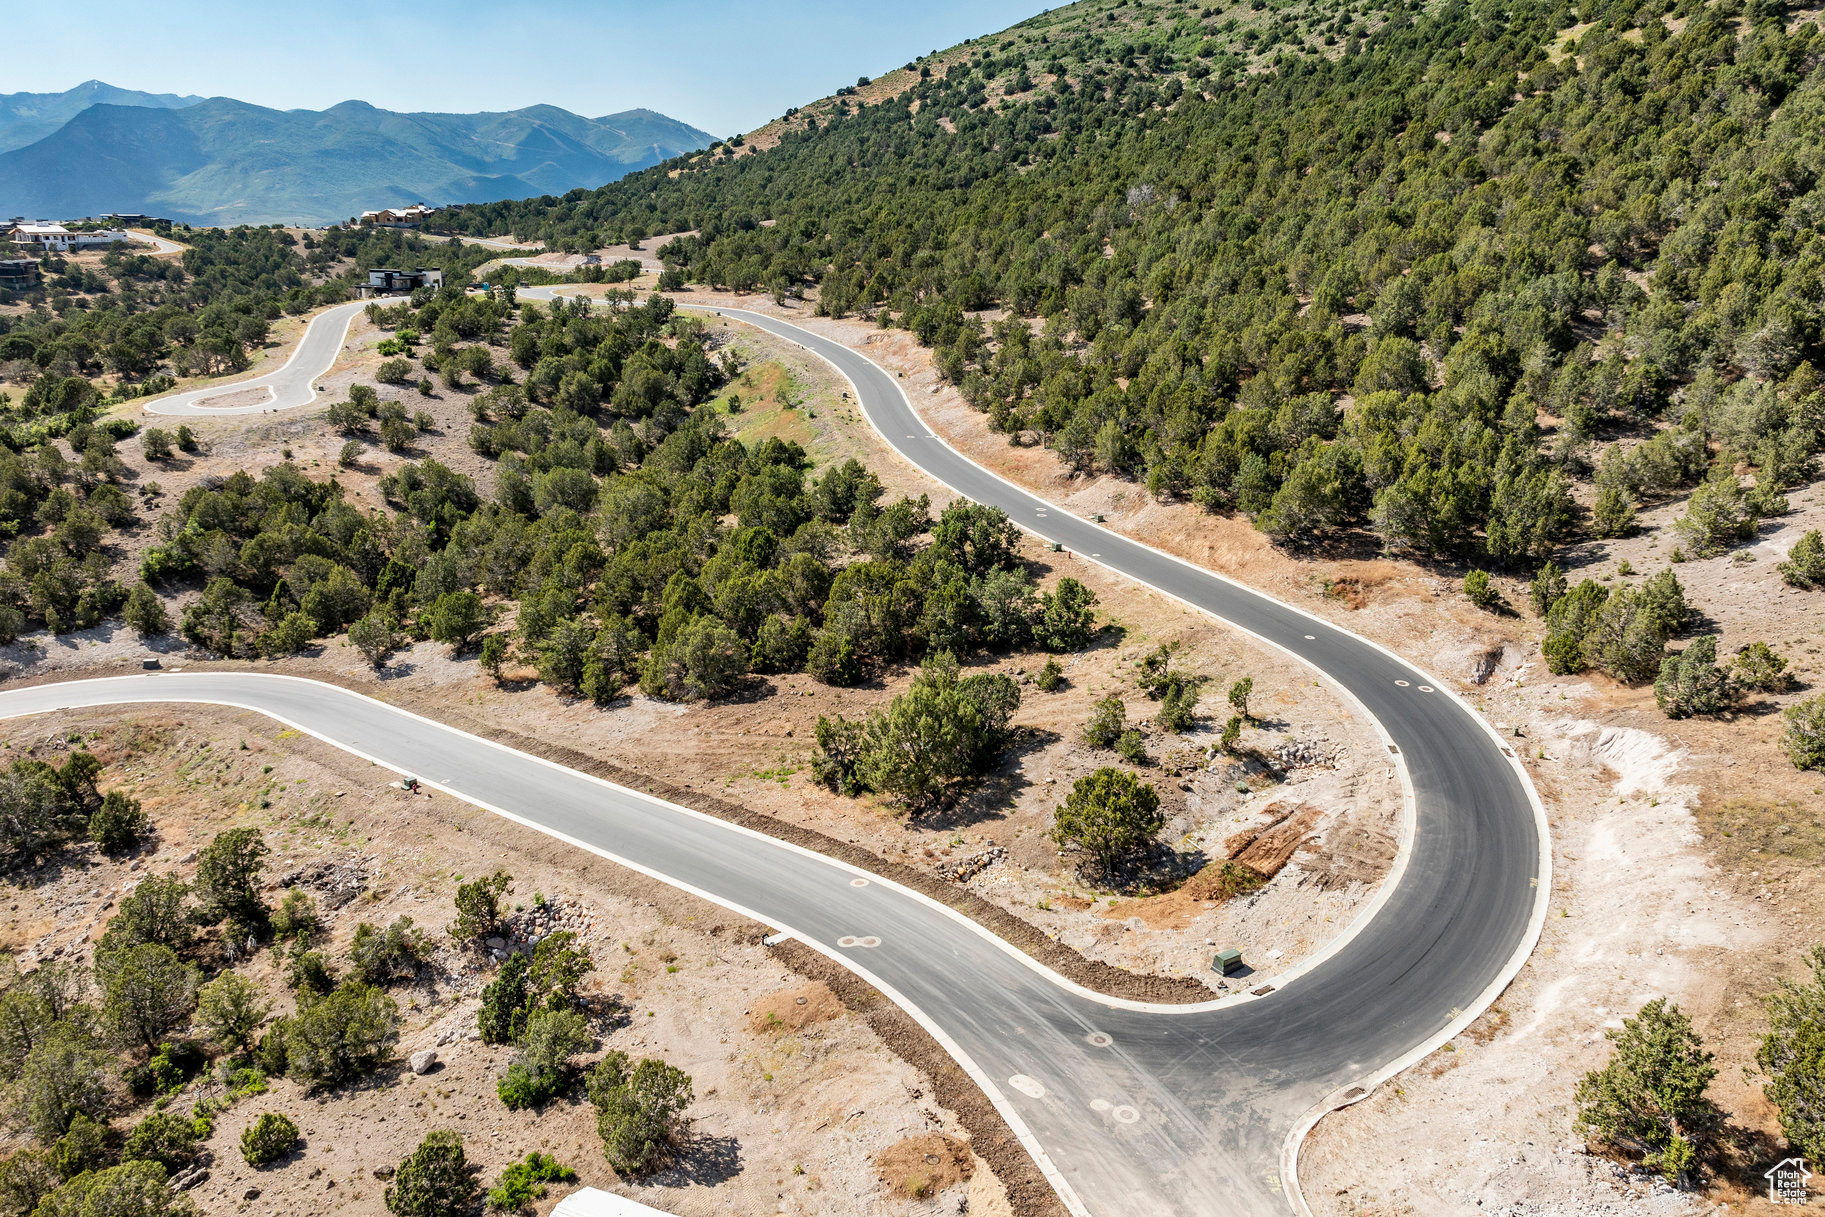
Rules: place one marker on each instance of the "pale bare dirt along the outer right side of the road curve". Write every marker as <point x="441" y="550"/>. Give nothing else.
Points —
<point x="1682" y="851"/>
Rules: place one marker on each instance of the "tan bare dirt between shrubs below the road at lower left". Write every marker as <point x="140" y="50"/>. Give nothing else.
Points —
<point x="793" y="1112"/>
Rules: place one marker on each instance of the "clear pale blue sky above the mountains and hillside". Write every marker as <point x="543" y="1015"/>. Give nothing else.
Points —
<point x="720" y="65"/>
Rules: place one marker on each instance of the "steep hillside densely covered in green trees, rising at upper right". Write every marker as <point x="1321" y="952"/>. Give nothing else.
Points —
<point x="1441" y="273"/>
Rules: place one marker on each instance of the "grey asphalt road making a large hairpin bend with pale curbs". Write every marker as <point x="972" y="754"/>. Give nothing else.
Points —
<point x="1129" y="1108"/>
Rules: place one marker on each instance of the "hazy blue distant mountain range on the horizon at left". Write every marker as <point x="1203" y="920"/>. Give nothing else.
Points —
<point x="220" y="161"/>
